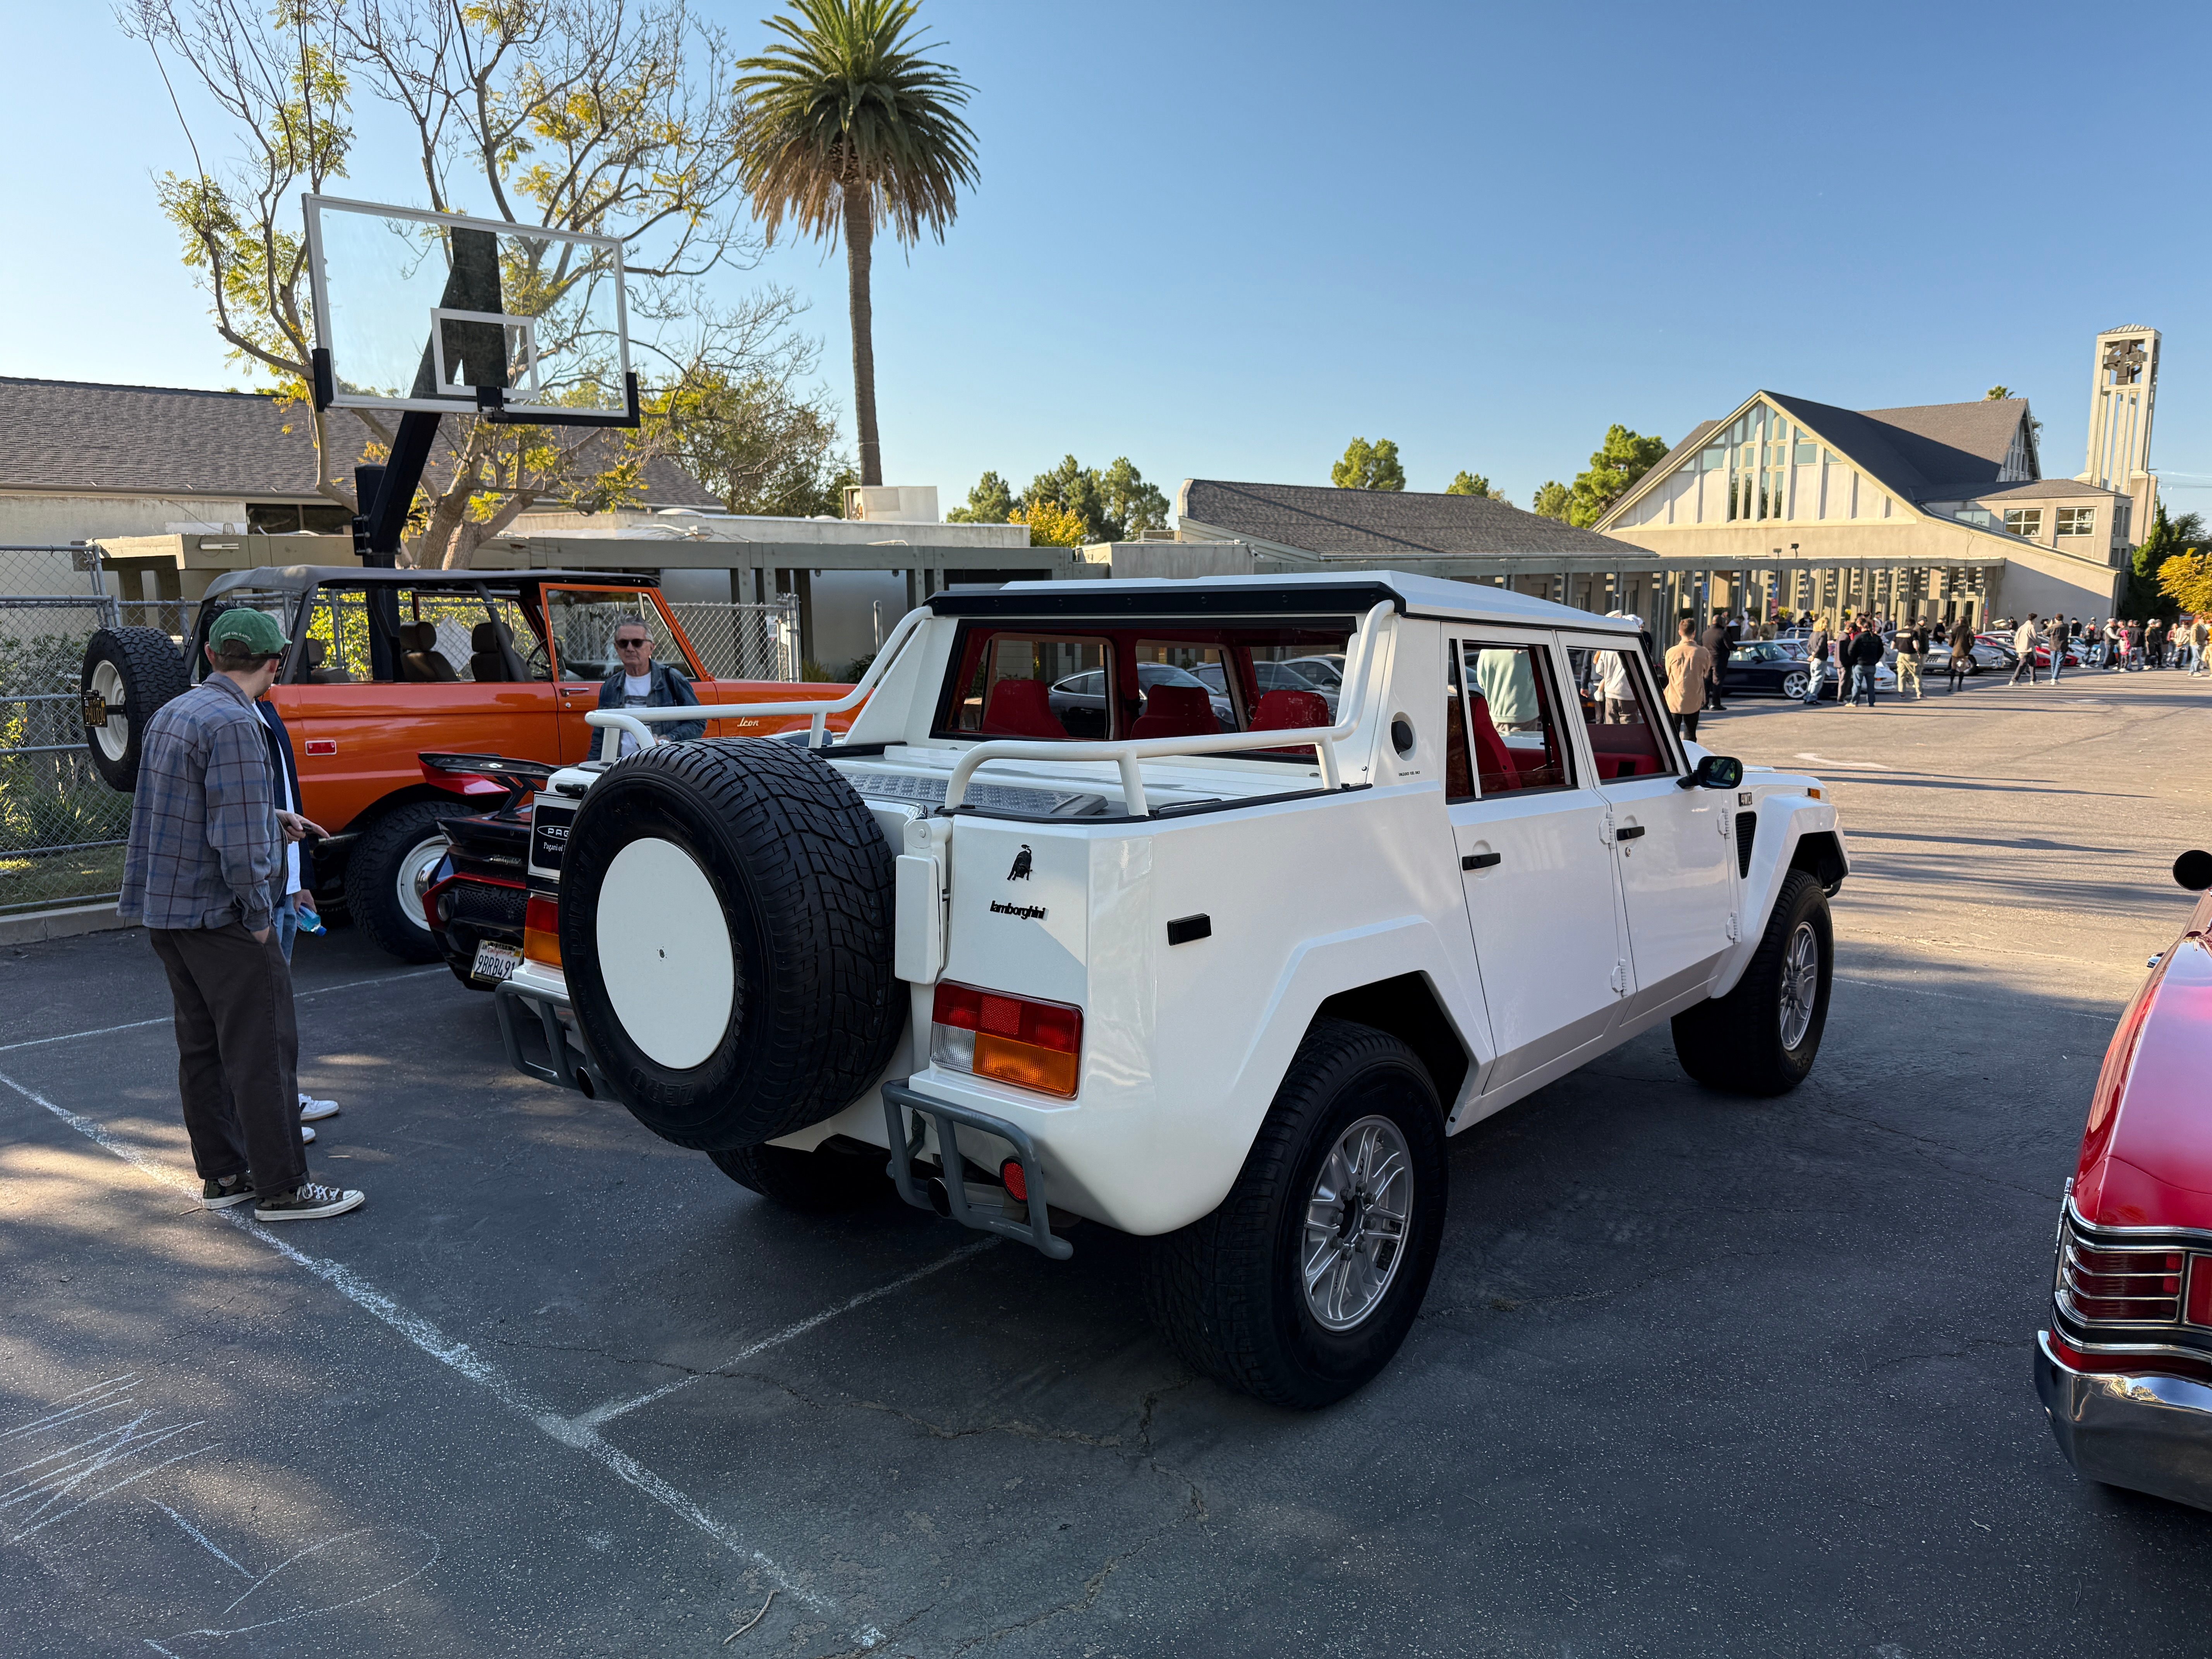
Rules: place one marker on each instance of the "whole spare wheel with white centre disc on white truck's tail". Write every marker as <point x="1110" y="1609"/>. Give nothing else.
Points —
<point x="727" y="935"/>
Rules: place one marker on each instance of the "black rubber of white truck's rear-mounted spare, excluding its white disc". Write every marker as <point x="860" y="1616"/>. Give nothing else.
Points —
<point x="815" y="873"/>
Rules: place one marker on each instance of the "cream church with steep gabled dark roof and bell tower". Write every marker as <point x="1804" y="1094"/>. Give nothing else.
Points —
<point x="1928" y="510"/>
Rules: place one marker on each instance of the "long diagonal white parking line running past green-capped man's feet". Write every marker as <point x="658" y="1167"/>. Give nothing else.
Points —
<point x="457" y="1357"/>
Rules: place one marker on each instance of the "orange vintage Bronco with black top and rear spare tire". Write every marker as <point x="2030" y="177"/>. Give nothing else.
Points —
<point x="390" y="665"/>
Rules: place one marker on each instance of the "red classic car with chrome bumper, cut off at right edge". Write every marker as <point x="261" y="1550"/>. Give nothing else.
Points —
<point x="2127" y="1366"/>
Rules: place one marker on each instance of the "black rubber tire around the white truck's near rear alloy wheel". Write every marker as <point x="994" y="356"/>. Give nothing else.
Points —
<point x="1227" y="1291"/>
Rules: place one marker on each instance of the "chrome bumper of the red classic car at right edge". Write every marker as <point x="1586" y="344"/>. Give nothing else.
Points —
<point x="2142" y="1430"/>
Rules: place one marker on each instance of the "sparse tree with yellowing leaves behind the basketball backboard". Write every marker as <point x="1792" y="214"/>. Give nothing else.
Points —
<point x="592" y="118"/>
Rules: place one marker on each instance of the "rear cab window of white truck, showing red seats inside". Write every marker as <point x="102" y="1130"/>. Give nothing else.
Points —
<point x="1154" y="680"/>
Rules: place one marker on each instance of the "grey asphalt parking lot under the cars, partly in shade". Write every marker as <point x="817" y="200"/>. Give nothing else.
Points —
<point x="1695" y="1375"/>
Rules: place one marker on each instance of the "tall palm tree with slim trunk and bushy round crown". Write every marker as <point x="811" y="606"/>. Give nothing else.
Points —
<point x="853" y="132"/>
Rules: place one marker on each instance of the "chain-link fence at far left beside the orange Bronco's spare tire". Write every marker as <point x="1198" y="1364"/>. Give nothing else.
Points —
<point x="61" y="826"/>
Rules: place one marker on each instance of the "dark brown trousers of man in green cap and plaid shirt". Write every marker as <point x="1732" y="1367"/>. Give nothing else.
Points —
<point x="238" y="1054"/>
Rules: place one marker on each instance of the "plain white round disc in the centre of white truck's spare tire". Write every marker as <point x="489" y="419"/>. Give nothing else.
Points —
<point x="665" y="954"/>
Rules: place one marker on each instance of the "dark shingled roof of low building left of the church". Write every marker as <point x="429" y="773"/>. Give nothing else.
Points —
<point x="1384" y="523"/>
